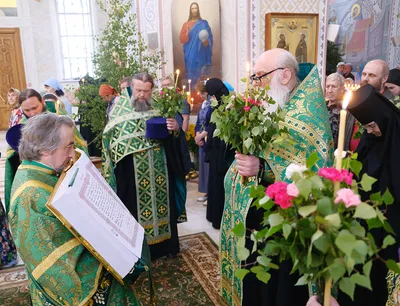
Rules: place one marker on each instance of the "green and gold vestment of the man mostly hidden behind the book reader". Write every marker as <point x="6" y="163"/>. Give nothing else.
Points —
<point x="12" y="160"/>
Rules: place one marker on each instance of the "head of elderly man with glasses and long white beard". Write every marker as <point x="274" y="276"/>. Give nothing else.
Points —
<point x="276" y="68"/>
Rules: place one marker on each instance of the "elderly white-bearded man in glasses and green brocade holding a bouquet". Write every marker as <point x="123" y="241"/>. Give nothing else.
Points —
<point x="308" y="123"/>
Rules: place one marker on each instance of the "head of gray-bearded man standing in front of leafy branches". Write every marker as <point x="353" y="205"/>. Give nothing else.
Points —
<point x="142" y="86"/>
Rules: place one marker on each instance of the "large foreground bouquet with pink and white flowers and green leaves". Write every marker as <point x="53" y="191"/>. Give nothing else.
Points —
<point x="318" y="229"/>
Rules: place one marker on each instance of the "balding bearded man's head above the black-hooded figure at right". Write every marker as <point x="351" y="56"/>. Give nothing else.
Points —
<point x="375" y="73"/>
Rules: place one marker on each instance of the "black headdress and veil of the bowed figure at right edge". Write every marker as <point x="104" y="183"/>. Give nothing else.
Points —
<point x="379" y="155"/>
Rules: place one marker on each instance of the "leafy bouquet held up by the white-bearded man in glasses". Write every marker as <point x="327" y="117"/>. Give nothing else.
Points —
<point x="248" y="127"/>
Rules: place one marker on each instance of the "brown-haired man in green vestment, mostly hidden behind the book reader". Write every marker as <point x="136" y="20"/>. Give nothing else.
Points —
<point x="32" y="104"/>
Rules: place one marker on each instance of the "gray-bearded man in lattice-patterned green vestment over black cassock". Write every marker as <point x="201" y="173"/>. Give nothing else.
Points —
<point x="143" y="170"/>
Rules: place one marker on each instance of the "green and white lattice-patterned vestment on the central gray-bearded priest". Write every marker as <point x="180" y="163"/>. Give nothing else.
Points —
<point x="125" y="135"/>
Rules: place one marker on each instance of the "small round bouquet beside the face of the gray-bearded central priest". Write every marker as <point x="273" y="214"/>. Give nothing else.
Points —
<point x="168" y="101"/>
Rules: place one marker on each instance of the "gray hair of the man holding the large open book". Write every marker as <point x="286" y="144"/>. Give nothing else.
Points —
<point x="42" y="133"/>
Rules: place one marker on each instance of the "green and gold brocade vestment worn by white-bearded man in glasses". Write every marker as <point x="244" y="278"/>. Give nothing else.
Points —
<point x="308" y="124"/>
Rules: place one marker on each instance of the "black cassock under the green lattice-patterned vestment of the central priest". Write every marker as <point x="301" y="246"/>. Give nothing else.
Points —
<point x="178" y="165"/>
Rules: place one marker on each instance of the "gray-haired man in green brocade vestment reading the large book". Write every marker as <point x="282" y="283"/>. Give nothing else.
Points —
<point x="61" y="271"/>
